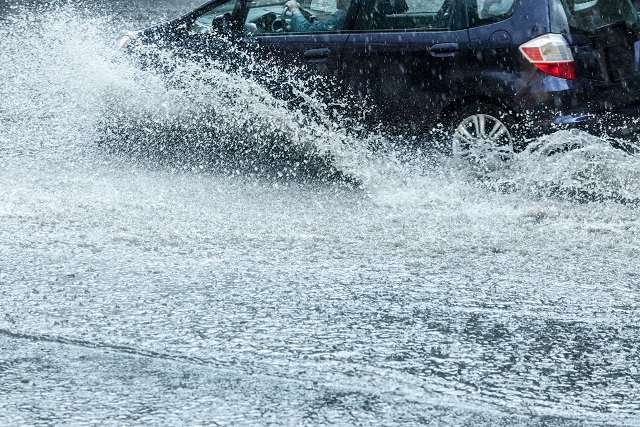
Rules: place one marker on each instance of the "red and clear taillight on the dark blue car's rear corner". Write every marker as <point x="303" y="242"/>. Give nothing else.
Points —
<point x="551" y="54"/>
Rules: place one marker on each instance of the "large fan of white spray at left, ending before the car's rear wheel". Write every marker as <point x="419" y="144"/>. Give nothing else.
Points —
<point x="68" y="79"/>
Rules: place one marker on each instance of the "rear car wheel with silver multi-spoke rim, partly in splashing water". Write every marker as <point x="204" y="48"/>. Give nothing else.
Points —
<point x="482" y="134"/>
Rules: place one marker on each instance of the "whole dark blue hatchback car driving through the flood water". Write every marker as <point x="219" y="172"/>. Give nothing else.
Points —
<point x="484" y="73"/>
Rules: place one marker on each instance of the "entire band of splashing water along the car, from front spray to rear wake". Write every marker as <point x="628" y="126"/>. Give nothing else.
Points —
<point x="68" y="84"/>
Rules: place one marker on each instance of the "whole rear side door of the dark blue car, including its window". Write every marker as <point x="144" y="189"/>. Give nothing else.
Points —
<point x="408" y="57"/>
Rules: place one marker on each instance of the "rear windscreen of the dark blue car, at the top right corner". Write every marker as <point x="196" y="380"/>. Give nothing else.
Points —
<point x="588" y="16"/>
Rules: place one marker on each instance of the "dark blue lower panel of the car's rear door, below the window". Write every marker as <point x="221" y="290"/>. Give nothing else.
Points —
<point x="408" y="73"/>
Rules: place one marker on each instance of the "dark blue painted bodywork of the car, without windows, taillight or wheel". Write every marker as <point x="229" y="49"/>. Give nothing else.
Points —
<point x="417" y="75"/>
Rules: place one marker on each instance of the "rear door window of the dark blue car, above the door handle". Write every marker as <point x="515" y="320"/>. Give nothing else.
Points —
<point x="410" y="14"/>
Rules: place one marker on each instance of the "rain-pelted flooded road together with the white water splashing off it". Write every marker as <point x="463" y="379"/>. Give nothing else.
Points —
<point x="203" y="288"/>
